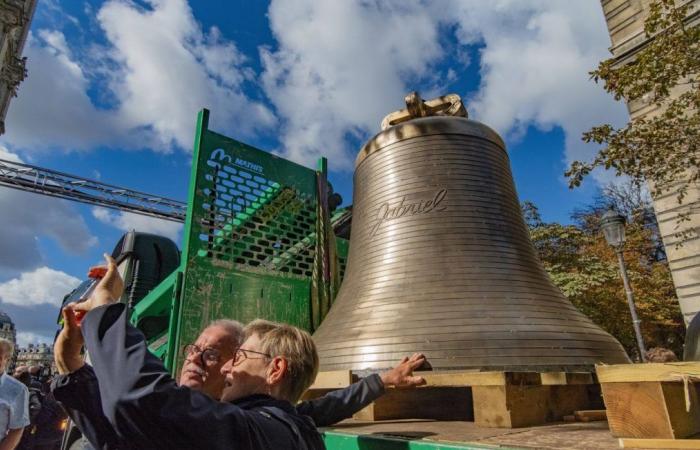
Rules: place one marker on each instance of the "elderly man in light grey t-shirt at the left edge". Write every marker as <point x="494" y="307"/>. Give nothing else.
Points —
<point x="14" y="402"/>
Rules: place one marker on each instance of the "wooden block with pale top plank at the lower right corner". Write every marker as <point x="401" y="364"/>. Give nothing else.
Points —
<point x="652" y="401"/>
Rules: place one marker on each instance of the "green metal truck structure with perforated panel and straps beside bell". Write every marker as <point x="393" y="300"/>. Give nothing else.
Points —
<point x="258" y="242"/>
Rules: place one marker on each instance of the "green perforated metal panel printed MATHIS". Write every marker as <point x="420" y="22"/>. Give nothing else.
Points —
<point x="250" y="238"/>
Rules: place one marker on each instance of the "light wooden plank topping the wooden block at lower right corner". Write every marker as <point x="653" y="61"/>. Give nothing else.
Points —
<point x="626" y="373"/>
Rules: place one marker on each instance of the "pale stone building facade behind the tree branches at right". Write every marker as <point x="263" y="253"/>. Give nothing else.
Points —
<point x="625" y="20"/>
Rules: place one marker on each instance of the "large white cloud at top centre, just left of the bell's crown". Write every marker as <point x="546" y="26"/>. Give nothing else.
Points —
<point x="340" y="67"/>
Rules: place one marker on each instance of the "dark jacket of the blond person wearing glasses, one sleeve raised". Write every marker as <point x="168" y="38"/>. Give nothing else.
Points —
<point x="147" y="410"/>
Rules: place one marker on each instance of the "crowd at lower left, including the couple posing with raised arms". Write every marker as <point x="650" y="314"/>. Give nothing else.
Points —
<point x="239" y="388"/>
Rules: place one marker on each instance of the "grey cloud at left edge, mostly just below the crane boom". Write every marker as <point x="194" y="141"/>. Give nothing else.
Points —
<point x="28" y="216"/>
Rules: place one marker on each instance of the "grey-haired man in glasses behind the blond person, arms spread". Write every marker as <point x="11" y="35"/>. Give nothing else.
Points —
<point x="79" y="390"/>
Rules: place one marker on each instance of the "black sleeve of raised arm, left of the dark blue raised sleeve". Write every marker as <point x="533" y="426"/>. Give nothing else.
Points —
<point x="79" y="394"/>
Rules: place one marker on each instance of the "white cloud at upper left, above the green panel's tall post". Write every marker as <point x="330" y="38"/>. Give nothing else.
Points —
<point x="169" y="69"/>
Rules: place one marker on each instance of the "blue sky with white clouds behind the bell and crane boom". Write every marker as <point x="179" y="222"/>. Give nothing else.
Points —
<point x="114" y="88"/>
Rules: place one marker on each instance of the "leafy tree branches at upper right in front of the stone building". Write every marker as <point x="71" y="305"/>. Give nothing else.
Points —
<point x="663" y="148"/>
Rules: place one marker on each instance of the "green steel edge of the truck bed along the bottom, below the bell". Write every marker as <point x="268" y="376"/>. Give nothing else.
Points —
<point x="347" y="441"/>
